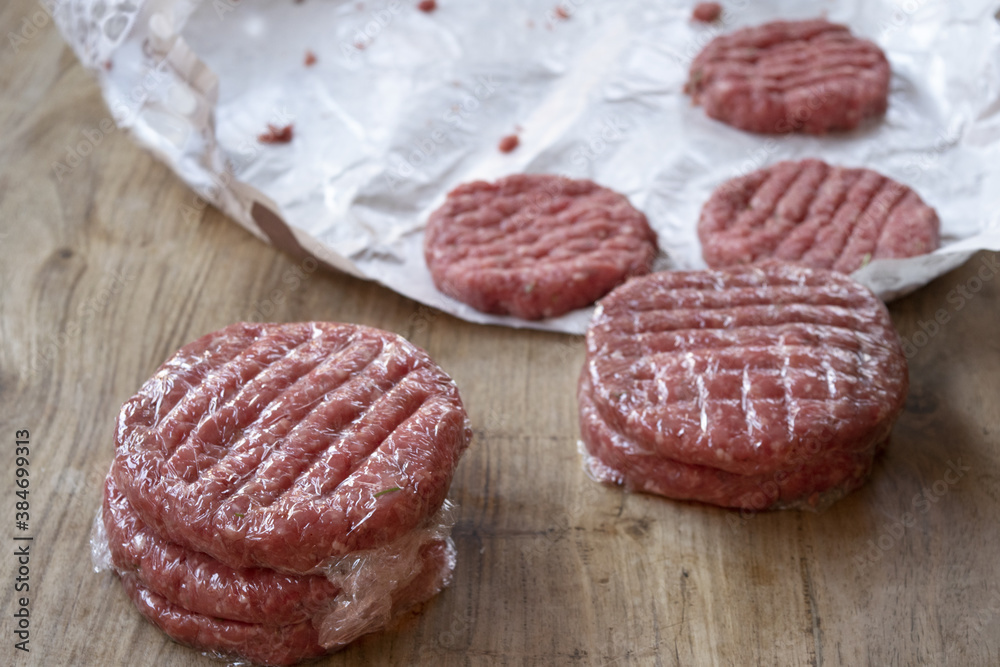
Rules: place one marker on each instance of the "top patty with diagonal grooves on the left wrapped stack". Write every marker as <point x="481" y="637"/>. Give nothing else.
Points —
<point x="289" y="445"/>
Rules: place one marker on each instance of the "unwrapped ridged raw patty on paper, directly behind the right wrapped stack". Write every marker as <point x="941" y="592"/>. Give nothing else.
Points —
<point x="810" y="212"/>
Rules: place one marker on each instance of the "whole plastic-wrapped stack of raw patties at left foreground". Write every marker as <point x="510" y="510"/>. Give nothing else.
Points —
<point x="278" y="490"/>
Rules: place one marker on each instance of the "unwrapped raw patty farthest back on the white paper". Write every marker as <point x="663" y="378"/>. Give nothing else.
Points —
<point x="791" y="76"/>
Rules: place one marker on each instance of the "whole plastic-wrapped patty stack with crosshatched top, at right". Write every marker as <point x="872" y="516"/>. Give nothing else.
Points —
<point x="759" y="387"/>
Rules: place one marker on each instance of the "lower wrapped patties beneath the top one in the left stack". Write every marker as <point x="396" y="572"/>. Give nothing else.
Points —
<point x="369" y="590"/>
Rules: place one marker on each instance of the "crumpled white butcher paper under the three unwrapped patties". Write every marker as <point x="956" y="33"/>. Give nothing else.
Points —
<point x="402" y="105"/>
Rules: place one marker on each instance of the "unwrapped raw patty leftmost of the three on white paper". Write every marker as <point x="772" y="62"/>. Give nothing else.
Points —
<point x="536" y="245"/>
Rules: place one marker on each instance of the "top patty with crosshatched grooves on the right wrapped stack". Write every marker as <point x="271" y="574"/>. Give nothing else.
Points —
<point x="735" y="369"/>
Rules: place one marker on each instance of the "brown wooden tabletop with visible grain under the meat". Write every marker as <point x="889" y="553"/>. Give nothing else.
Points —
<point x="102" y="279"/>
